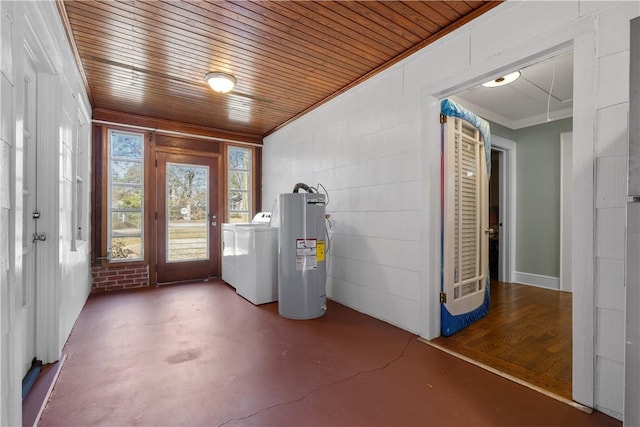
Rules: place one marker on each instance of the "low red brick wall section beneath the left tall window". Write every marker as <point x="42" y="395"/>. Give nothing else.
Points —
<point x="119" y="276"/>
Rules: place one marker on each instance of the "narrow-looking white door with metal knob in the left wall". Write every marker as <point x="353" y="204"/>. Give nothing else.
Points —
<point x="29" y="198"/>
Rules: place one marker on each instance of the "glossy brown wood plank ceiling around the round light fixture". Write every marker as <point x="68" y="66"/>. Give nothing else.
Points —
<point x="149" y="58"/>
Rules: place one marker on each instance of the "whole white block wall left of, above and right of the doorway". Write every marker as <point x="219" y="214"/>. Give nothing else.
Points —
<point x="373" y="149"/>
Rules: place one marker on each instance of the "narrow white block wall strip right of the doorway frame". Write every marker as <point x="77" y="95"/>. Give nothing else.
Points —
<point x="610" y="156"/>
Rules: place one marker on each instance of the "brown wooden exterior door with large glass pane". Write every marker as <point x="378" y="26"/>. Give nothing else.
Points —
<point x="187" y="217"/>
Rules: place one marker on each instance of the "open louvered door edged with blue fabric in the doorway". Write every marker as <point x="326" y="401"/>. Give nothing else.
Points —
<point x="465" y="225"/>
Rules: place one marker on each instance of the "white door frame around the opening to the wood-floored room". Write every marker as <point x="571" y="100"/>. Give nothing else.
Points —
<point x="579" y="35"/>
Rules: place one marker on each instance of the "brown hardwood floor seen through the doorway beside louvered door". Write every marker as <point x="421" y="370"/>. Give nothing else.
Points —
<point x="527" y="334"/>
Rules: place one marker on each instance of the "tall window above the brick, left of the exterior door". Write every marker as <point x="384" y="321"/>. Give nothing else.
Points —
<point x="126" y="195"/>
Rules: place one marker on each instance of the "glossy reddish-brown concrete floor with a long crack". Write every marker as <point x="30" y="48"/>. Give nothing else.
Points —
<point x="200" y="355"/>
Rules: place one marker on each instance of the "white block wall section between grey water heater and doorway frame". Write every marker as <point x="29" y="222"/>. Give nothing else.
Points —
<point x="365" y="150"/>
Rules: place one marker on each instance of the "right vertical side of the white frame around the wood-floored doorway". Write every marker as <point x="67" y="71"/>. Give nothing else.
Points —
<point x="583" y="217"/>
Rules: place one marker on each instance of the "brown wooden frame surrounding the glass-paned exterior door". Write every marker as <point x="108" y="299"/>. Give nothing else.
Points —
<point x="154" y="202"/>
